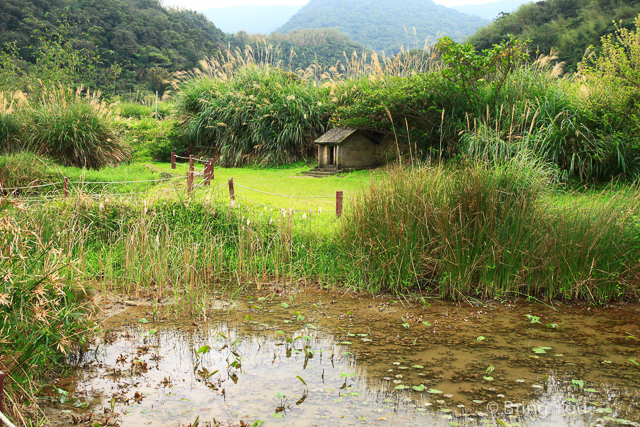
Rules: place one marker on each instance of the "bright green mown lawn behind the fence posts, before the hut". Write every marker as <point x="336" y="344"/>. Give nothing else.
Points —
<point x="287" y="186"/>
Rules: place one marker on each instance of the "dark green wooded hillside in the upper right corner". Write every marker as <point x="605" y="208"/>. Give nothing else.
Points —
<point x="567" y="26"/>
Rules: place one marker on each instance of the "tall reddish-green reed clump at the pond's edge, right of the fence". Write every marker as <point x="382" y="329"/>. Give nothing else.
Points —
<point x="488" y="230"/>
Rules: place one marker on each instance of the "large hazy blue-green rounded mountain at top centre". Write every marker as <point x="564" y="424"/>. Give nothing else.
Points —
<point x="385" y="25"/>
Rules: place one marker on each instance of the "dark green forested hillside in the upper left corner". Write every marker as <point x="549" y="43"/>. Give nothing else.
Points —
<point x="138" y="34"/>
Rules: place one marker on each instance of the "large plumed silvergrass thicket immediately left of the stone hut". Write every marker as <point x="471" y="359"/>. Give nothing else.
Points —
<point x="261" y="115"/>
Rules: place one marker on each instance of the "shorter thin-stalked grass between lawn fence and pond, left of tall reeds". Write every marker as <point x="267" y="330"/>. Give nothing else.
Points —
<point x="178" y="247"/>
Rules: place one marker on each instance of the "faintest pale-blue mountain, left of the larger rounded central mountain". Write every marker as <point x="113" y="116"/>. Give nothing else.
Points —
<point x="250" y="18"/>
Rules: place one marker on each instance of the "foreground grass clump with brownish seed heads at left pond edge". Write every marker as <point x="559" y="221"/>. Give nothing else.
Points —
<point x="43" y="315"/>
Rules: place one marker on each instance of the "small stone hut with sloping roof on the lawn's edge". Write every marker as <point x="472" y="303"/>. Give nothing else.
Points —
<point x="347" y="149"/>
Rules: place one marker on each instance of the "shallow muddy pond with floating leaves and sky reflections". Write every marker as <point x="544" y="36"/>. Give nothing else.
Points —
<point x="323" y="359"/>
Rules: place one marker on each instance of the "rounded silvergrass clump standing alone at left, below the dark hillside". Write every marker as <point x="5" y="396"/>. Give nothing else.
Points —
<point x="74" y="129"/>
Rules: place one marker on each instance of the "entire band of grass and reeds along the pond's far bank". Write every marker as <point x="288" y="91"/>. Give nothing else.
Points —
<point x="478" y="229"/>
